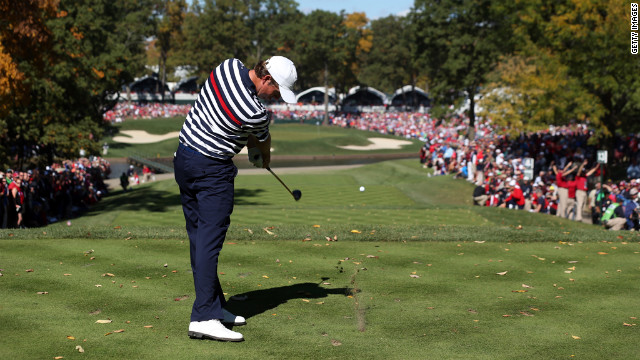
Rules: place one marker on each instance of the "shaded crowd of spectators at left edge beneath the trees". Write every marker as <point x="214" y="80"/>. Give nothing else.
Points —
<point x="39" y="197"/>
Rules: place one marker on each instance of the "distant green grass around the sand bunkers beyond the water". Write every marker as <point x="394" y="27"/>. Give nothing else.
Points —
<point x="288" y="139"/>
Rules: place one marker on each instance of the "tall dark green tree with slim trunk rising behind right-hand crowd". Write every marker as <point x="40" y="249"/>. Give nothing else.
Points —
<point x="458" y="43"/>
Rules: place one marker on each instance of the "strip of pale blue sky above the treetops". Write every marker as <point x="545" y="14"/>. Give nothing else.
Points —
<point x="373" y="8"/>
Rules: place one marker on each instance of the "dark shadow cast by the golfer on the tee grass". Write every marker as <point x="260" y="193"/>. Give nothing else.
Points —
<point x="260" y="301"/>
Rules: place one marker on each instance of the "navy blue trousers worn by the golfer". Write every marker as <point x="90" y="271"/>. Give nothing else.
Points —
<point x="206" y="192"/>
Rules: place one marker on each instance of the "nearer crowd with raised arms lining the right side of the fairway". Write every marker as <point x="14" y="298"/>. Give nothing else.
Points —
<point x="565" y="178"/>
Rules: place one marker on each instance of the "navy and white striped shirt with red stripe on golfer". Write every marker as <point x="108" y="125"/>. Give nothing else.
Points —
<point x="226" y="111"/>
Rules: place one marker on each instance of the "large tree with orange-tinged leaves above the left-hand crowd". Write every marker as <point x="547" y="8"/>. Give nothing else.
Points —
<point x="72" y="71"/>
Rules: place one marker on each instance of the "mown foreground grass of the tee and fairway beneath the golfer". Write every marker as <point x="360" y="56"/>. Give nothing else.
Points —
<point x="418" y="280"/>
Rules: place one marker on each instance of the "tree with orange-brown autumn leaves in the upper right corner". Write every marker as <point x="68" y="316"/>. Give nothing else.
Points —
<point x="591" y="39"/>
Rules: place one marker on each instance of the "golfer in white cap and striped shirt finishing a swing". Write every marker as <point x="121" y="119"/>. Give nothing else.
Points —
<point x="226" y="116"/>
